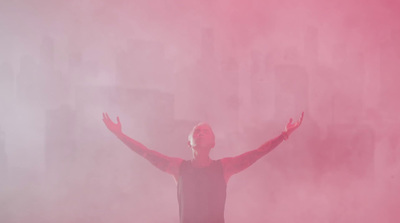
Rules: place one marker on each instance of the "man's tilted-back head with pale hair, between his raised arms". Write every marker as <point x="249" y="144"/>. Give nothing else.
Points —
<point x="201" y="137"/>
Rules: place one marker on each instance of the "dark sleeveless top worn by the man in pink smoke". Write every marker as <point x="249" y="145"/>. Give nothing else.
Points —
<point x="201" y="193"/>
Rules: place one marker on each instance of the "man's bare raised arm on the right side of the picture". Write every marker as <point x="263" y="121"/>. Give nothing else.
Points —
<point x="233" y="165"/>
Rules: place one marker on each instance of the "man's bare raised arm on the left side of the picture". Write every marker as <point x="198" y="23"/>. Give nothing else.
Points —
<point x="167" y="164"/>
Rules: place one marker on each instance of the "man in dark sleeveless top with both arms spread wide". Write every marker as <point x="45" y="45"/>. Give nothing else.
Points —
<point x="201" y="181"/>
